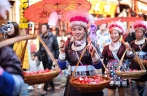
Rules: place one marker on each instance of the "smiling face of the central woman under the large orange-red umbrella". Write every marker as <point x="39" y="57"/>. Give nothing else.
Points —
<point x="78" y="32"/>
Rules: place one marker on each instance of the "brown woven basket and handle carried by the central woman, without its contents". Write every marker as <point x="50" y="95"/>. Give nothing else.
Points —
<point x="88" y="87"/>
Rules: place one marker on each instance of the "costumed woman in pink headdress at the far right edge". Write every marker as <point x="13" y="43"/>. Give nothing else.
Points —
<point x="140" y="47"/>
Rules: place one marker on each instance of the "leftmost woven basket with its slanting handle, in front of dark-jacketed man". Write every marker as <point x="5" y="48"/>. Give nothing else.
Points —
<point x="43" y="77"/>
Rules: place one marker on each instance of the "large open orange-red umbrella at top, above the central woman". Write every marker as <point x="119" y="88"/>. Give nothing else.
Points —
<point x="41" y="11"/>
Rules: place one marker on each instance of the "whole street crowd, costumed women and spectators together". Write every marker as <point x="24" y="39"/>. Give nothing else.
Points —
<point x="102" y="46"/>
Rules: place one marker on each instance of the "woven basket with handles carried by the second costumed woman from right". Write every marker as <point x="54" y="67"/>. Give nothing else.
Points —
<point x="133" y="74"/>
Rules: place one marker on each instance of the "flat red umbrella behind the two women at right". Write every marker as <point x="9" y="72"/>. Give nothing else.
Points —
<point x="122" y="19"/>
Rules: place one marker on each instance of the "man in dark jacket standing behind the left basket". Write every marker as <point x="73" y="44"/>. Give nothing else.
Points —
<point x="51" y="41"/>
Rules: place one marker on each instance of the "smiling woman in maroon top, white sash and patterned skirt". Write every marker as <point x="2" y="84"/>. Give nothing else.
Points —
<point x="113" y="53"/>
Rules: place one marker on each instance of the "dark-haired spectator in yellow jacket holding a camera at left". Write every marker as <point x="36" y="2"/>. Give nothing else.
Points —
<point x="20" y="48"/>
